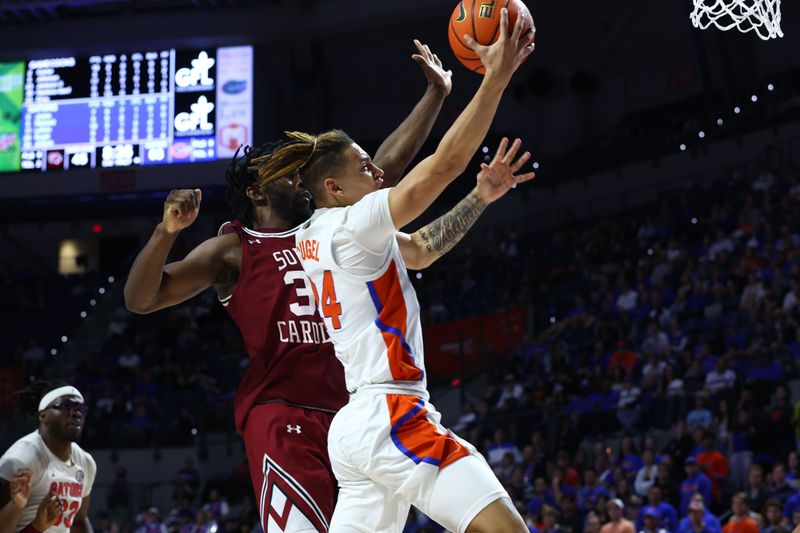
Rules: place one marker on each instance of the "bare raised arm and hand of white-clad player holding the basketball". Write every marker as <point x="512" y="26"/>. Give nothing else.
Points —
<point x="428" y="179"/>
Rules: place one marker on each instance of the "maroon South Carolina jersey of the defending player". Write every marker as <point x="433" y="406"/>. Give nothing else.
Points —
<point x="291" y="355"/>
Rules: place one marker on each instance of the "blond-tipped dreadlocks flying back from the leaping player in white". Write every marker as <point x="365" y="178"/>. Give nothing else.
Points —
<point x="312" y="157"/>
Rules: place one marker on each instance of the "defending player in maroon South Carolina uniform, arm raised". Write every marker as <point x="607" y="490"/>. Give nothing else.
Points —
<point x="294" y="383"/>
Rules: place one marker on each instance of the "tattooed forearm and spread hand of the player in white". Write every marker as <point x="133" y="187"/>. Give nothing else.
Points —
<point x="426" y="245"/>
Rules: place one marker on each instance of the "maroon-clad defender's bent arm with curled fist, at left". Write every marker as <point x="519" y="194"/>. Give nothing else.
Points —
<point x="151" y="284"/>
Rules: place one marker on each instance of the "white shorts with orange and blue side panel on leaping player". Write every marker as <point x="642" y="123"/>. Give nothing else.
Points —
<point x="388" y="452"/>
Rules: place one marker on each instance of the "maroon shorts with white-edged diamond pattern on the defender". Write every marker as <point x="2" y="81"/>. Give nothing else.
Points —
<point x="287" y="450"/>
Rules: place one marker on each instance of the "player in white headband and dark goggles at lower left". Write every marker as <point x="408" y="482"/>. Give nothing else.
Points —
<point x="59" y="473"/>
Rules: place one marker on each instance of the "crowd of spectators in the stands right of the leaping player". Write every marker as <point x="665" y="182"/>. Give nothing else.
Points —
<point x="658" y="388"/>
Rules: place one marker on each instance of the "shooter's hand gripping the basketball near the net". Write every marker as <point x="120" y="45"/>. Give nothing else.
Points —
<point x="503" y="57"/>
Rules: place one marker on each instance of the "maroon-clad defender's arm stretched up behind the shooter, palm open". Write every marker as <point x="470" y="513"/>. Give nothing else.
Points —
<point x="397" y="151"/>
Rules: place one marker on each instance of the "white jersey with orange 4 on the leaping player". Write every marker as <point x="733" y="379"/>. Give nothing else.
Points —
<point x="369" y="306"/>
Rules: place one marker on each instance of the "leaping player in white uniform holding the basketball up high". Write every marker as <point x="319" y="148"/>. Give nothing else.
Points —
<point x="386" y="445"/>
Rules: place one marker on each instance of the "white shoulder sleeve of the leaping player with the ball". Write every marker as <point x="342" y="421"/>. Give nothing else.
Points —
<point x="364" y="239"/>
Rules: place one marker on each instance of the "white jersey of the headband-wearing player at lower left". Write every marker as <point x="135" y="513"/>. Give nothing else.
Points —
<point x="71" y="481"/>
